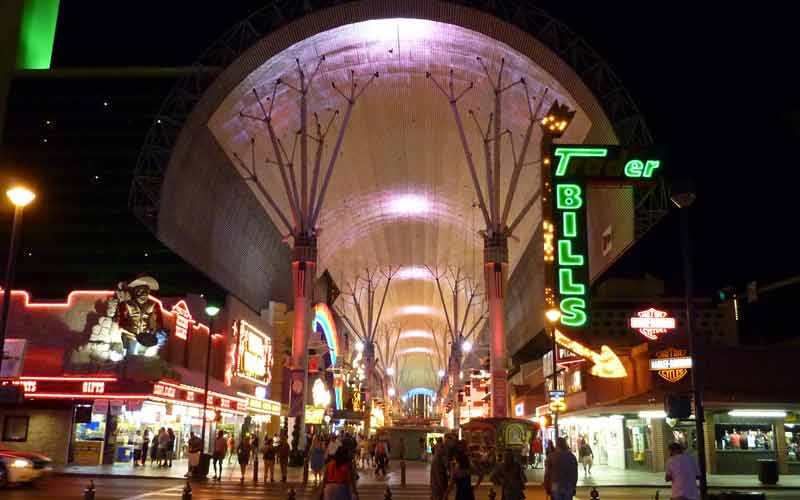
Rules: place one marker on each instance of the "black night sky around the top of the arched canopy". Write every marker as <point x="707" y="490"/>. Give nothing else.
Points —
<point x="718" y="88"/>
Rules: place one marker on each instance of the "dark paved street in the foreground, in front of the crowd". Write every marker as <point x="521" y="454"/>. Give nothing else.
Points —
<point x="154" y="489"/>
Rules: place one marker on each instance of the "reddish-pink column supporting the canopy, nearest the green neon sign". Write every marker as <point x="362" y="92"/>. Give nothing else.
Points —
<point x="495" y="258"/>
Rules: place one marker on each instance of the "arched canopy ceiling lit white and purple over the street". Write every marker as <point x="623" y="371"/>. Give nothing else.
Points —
<point x="401" y="193"/>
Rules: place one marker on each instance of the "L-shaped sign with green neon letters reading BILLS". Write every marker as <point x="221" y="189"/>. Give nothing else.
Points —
<point x="575" y="166"/>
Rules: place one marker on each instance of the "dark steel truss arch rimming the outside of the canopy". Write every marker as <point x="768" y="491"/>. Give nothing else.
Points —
<point x="617" y="103"/>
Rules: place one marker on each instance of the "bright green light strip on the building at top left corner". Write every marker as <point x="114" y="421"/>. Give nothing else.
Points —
<point x="37" y="34"/>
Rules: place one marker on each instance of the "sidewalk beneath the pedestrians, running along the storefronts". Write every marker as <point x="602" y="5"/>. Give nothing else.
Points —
<point x="418" y="473"/>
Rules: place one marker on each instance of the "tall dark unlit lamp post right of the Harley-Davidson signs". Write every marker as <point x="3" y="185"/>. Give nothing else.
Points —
<point x="683" y="196"/>
